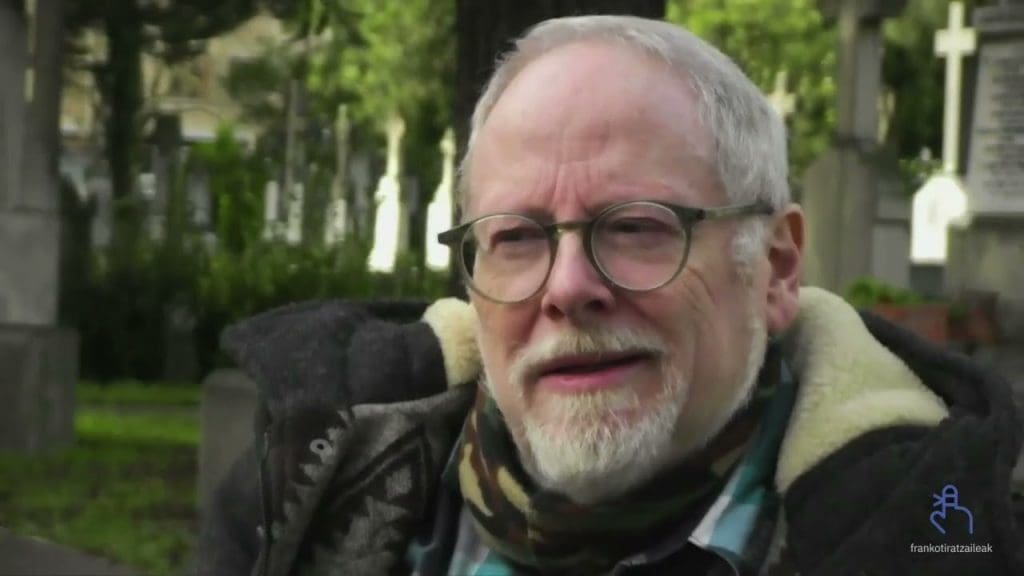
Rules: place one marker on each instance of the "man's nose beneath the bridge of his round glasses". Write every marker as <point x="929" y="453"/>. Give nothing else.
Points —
<point x="575" y="290"/>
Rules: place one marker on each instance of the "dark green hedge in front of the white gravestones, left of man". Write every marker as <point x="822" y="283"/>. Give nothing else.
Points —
<point x="122" y="321"/>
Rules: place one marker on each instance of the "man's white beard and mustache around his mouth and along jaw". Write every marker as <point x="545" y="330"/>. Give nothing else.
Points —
<point x="590" y="454"/>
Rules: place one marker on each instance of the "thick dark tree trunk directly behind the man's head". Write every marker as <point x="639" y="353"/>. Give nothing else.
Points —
<point x="486" y="29"/>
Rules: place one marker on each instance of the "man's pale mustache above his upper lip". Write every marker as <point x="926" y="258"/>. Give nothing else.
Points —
<point x="573" y="342"/>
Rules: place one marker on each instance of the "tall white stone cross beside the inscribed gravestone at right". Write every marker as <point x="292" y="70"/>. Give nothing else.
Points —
<point x="954" y="44"/>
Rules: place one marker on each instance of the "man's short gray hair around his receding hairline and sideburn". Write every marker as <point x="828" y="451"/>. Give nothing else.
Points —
<point x="749" y="136"/>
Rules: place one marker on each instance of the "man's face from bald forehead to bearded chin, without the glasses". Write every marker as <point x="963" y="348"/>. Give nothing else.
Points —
<point x="582" y="128"/>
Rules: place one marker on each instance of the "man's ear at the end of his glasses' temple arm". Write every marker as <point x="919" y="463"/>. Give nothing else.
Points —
<point x="786" y="255"/>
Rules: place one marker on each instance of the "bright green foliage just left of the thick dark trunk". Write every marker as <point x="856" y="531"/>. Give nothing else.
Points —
<point x="379" y="59"/>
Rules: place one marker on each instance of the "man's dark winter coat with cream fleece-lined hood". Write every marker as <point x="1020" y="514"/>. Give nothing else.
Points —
<point x="358" y="418"/>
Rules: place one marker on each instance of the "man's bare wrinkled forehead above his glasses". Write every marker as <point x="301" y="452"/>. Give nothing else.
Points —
<point x="585" y="101"/>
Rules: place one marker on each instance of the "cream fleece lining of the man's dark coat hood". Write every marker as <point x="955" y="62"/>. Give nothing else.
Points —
<point x="849" y="383"/>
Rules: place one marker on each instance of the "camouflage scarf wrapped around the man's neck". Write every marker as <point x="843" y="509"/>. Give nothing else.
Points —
<point x="543" y="531"/>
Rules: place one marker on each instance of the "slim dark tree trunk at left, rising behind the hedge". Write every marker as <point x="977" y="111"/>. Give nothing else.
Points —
<point x="124" y="86"/>
